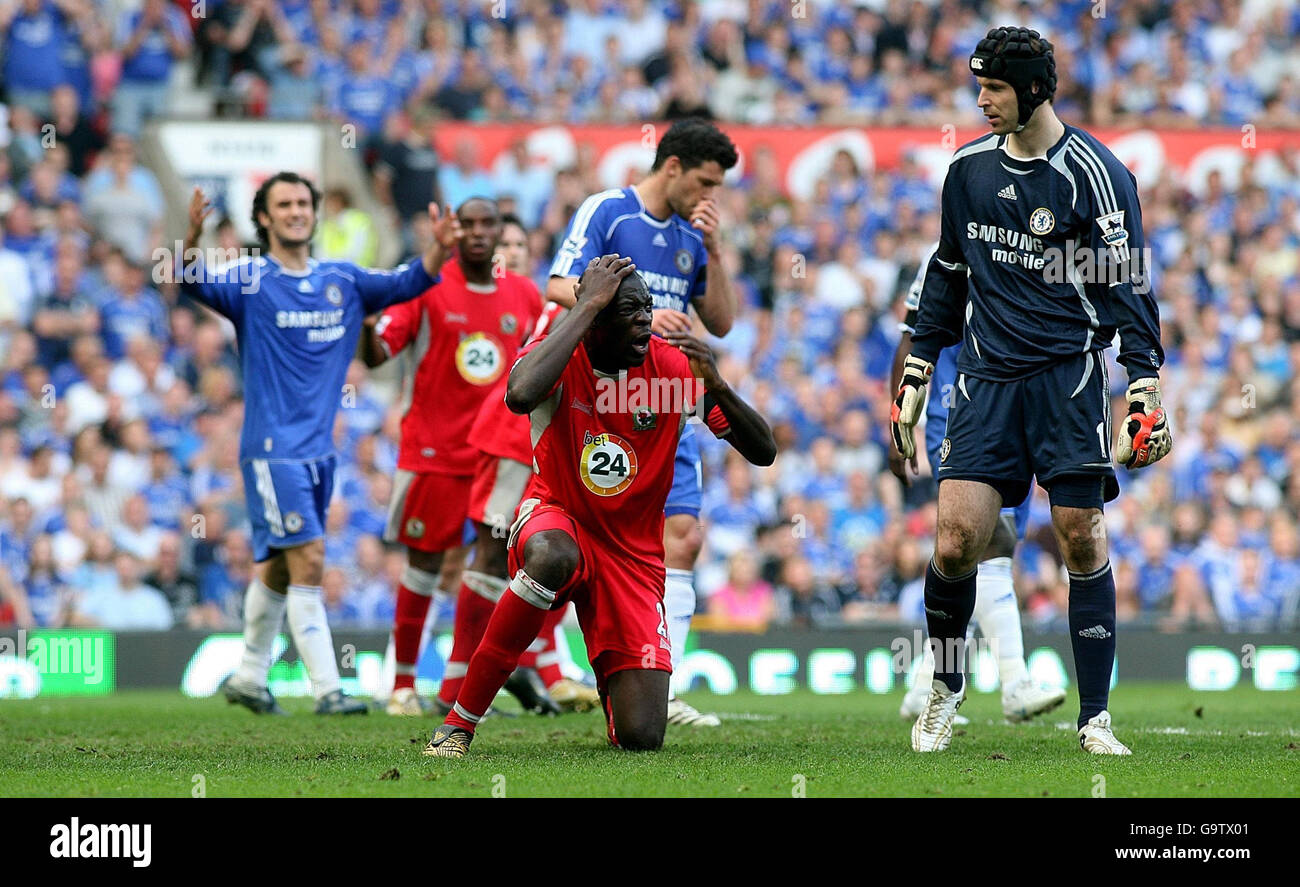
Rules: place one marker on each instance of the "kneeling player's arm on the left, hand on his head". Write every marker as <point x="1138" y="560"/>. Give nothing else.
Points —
<point x="536" y="374"/>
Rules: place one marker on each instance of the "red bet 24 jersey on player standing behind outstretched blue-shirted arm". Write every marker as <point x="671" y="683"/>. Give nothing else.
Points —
<point x="463" y="339"/>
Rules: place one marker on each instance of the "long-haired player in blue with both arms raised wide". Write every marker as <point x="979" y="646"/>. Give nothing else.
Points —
<point x="298" y="322"/>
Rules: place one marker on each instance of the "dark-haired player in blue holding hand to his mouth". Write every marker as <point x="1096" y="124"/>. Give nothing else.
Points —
<point x="681" y="263"/>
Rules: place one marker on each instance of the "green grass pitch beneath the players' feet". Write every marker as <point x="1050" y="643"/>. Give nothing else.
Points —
<point x="1186" y="745"/>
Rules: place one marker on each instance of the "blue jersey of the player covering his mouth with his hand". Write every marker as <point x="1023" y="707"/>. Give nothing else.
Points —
<point x="670" y="254"/>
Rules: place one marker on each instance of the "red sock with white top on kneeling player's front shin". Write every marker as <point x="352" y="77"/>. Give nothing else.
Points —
<point x="514" y="625"/>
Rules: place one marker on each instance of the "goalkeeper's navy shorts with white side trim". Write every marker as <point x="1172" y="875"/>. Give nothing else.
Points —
<point x="1054" y="427"/>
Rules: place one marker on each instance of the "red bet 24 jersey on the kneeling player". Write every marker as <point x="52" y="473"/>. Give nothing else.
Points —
<point x="604" y="448"/>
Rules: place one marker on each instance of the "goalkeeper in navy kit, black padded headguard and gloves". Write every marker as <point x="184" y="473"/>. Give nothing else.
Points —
<point x="1039" y="266"/>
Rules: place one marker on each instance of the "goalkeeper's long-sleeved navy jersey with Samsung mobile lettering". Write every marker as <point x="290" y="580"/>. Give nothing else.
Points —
<point x="1039" y="261"/>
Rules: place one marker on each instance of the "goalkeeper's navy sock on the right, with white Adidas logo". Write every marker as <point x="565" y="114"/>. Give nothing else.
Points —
<point x="1093" y="635"/>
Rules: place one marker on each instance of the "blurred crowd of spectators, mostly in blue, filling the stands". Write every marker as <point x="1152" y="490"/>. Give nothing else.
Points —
<point x="120" y="404"/>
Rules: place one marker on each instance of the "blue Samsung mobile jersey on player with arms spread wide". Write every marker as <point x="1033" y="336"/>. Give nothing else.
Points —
<point x="297" y="335"/>
